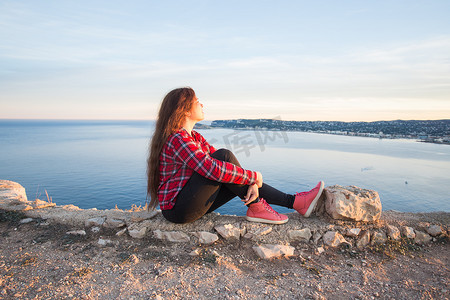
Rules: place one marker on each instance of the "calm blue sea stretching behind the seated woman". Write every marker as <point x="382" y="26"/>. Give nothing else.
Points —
<point x="103" y="163"/>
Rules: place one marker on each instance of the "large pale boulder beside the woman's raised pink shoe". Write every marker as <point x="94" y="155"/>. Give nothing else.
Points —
<point x="352" y="203"/>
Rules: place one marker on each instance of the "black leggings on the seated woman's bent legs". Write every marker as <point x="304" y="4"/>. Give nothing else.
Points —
<point x="201" y="195"/>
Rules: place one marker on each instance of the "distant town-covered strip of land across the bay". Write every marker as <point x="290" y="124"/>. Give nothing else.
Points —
<point x="431" y="131"/>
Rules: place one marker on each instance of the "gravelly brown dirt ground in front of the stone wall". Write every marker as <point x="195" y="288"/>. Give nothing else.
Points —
<point x="41" y="261"/>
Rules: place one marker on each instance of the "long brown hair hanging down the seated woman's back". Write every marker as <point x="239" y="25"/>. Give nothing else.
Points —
<point x="171" y="116"/>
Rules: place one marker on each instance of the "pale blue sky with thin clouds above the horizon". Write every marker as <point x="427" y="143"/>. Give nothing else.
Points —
<point x="290" y="60"/>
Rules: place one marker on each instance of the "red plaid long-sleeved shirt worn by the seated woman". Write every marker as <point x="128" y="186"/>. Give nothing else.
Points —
<point x="182" y="155"/>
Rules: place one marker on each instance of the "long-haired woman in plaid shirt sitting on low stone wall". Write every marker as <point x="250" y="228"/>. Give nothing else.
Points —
<point x="189" y="178"/>
